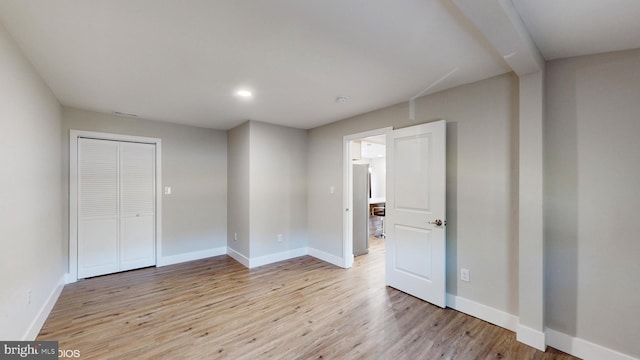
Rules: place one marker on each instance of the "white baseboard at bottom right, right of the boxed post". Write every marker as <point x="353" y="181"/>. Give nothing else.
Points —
<point x="582" y="348"/>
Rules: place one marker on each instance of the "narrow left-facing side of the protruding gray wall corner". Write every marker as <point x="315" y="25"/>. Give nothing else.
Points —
<point x="238" y="196"/>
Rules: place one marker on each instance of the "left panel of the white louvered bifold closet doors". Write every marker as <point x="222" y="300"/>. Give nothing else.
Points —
<point x="98" y="216"/>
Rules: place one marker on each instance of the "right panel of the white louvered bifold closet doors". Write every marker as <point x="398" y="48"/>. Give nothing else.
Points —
<point x="137" y="204"/>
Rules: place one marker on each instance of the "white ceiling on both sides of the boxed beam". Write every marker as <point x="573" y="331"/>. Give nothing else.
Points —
<point x="182" y="60"/>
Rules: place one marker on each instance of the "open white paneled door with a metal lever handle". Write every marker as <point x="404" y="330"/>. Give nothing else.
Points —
<point x="415" y="210"/>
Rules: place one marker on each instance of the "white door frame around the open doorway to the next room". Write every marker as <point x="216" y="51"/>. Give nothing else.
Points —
<point x="347" y="193"/>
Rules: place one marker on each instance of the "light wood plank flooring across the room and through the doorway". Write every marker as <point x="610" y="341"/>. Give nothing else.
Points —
<point x="297" y="309"/>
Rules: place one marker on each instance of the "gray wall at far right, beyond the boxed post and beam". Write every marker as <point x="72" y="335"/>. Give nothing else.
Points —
<point x="592" y="172"/>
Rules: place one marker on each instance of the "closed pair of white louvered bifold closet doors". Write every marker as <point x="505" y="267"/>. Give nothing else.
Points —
<point x="116" y="206"/>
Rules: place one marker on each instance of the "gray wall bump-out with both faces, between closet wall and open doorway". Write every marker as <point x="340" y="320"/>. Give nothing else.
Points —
<point x="267" y="189"/>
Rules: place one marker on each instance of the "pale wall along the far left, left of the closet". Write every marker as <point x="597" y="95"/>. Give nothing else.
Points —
<point x="31" y="255"/>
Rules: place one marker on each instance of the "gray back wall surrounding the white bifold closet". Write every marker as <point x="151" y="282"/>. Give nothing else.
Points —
<point x="194" y="164"/>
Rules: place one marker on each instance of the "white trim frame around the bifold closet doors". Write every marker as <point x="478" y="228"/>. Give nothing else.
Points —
<point x="72" y="275"/>
